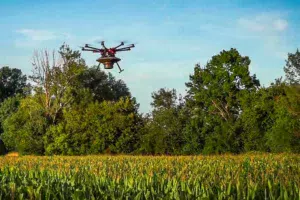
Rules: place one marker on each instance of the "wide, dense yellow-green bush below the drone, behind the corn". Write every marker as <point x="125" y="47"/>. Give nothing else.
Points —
<point x="93" y="128"/>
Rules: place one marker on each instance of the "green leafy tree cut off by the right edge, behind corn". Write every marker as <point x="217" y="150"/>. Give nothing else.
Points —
<point x="284" y="135"/>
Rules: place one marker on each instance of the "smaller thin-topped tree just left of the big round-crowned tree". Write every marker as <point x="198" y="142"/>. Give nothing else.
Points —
<point x="163" y="130"/>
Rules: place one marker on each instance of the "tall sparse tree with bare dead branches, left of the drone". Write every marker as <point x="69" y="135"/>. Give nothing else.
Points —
<point x="56" y="81"/>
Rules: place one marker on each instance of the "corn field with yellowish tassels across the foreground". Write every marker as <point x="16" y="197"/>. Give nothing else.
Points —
<point x="251" y="176"/>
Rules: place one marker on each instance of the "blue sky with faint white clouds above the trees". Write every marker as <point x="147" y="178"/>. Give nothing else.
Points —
<point x="171" y="36"/>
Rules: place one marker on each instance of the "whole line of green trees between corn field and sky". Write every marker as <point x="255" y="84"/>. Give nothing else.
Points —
<point x="68" y="108"/>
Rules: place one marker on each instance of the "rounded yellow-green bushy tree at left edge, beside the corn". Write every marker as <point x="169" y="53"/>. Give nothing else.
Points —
<point x="24" y="129"/>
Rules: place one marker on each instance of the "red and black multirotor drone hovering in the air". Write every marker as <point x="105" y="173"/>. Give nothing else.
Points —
<point x="108" y="58"/>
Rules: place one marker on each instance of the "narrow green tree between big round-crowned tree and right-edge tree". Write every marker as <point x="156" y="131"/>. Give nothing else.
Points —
<point x="258" y="116"/>
